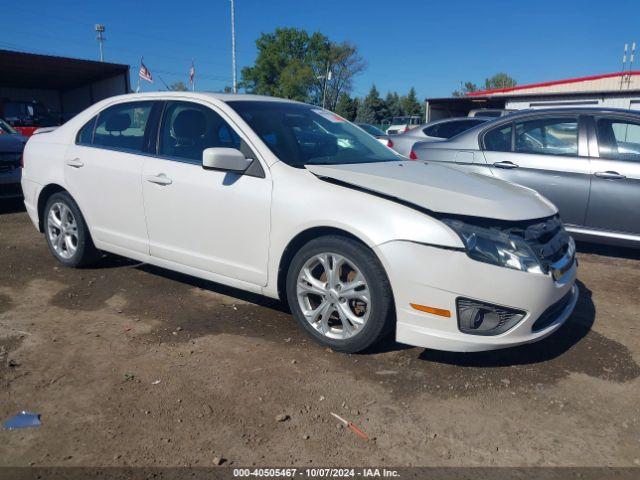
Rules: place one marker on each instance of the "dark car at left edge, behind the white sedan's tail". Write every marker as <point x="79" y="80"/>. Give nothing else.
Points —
<point x="11" y="148"/>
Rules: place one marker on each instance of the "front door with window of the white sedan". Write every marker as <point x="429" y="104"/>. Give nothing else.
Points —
<point x="209" y="220"/>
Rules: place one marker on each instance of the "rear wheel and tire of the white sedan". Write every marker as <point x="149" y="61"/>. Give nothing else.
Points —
<point x="66" y="232"/>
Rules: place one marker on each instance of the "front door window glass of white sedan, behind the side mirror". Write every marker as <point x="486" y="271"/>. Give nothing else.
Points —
<point x="189" y="128"/>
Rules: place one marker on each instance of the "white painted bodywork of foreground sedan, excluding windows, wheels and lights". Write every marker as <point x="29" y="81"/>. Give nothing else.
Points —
<point x="234" y="230"/>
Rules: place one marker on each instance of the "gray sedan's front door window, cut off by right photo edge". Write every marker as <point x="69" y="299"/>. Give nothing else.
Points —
<point x="618" y="139"/>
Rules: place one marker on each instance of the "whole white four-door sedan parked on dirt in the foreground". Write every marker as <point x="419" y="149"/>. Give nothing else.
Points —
<point x="293" y="202"/>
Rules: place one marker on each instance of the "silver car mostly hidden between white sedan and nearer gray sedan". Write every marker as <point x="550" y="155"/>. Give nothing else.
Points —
<point x="436" y="130"/>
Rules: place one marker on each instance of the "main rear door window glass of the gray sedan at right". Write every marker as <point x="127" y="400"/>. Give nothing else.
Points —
<point x="547" y="136"/>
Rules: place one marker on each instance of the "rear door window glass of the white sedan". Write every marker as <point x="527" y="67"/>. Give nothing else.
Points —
<point x="122" y="126"/>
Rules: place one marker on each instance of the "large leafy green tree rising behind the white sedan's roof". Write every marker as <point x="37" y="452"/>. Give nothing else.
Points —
<point x="293" y="64"/>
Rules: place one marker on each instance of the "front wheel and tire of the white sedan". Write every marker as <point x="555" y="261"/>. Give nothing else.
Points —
<point x="339" y="294"/>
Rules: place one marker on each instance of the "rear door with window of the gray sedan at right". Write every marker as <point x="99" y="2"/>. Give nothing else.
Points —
<point x="548" y="154"/>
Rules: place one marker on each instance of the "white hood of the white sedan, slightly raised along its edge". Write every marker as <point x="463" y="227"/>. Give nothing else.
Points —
<point x="442" y="189"/>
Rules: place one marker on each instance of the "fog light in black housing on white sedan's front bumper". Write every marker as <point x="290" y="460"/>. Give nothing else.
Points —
<point x="479" y="318"/>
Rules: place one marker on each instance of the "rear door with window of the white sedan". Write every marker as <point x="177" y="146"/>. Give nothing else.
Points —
<point x="103" y="172"/>
